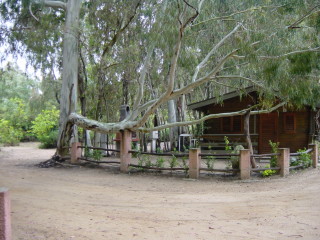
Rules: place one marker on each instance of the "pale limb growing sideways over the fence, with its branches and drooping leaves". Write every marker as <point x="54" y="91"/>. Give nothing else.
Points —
<point x="259" y="54"/>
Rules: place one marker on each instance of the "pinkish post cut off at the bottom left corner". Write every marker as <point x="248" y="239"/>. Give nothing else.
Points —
<point x="5" y="219"/>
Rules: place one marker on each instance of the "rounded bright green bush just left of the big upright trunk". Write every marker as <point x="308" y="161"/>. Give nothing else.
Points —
<point x="45" y="127"/>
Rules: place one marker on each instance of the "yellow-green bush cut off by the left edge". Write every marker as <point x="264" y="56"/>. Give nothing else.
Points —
<point x="9" y="136"/>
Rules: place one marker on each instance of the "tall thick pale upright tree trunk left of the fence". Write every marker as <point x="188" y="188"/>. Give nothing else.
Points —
<point x="69" y="88"/>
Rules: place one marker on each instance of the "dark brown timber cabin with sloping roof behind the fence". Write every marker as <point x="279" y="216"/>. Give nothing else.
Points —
<point x="293" y="129"/>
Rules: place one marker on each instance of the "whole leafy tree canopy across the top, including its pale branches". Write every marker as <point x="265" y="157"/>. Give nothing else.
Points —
<point x="144" y="53"/>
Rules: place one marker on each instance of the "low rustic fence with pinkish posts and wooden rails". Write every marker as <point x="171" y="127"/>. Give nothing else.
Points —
<point x="194" y="155"/>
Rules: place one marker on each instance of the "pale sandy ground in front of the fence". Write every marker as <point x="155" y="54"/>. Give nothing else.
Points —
<point x="86" y="203"/>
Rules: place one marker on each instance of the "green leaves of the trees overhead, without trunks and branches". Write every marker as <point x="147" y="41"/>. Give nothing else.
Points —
<point x="111" y="69"/>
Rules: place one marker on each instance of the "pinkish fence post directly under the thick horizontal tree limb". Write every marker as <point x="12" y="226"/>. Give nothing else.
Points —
<point x="125" y="147"/>
